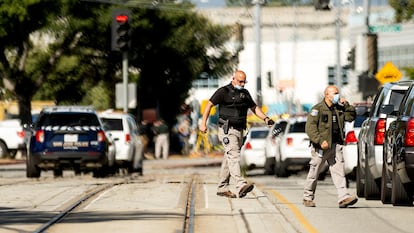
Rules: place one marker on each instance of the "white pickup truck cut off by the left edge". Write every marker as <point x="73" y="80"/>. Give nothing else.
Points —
<point x="11" y="138"/>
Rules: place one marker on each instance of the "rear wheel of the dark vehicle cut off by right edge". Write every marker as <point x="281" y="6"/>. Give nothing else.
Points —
<point x="399" y="194"/>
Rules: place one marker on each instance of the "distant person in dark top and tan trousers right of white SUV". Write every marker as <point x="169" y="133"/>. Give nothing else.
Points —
<point x="162" y="141"/>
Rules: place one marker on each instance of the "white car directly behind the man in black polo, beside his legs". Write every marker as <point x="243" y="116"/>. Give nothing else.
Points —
<point x="253" y="152"/>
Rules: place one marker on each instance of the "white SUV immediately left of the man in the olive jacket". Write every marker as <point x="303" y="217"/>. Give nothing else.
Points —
<point x="293" y="152"/>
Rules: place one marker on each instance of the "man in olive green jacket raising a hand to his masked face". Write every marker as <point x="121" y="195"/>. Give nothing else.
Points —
<point x="325" y="128"/>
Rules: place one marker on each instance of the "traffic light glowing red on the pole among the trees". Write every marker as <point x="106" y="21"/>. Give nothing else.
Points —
<point x="121" y="30"/>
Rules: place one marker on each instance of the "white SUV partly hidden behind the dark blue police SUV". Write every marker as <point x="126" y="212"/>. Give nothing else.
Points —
<point x="123" y="128"/>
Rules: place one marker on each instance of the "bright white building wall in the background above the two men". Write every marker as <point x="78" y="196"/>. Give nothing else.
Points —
<point x="307" y="67"/>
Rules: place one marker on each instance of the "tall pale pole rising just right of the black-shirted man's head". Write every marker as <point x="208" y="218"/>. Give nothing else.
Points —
<point x="257" y="4"/>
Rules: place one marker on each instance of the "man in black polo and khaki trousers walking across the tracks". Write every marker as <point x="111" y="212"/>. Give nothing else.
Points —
<point x="234" y="101"/>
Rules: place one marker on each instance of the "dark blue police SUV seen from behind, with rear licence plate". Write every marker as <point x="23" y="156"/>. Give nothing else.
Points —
<point x="69" y="137"/>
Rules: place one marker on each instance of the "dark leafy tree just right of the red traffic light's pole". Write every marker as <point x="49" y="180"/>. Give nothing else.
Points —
<point x="178" y="42"/>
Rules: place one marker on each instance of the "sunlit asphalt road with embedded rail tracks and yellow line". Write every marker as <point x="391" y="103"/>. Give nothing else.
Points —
<point x="155" y="202"/>
